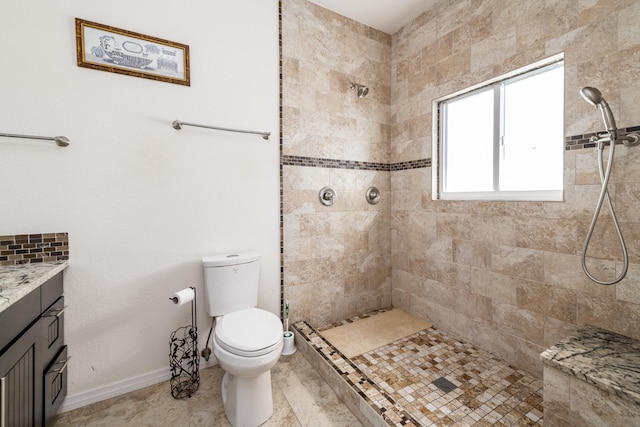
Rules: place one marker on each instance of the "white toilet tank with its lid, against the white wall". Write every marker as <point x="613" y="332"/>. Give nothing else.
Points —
<point x="231" y="282"/>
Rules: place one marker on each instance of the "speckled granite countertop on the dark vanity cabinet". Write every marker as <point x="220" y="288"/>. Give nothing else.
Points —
<point x="16" y="281"/>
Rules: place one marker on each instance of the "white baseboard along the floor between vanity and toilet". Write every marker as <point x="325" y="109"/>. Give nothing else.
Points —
<point x="78" y="400"/>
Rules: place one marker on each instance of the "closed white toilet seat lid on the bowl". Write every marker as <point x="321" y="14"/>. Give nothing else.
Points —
<point x="250" y="332"/>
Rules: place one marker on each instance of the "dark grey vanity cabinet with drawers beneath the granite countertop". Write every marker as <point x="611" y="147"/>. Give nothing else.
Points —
<point x="33" y="357"/>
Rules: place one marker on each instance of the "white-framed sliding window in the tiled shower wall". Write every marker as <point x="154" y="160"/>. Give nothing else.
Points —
<point x="503" y="139"/>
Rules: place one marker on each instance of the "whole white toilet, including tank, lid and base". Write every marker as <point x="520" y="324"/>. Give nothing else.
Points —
<point x="247" y="341"/>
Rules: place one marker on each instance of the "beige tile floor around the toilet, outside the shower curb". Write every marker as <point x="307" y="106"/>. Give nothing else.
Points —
<point x="301" y="398"/>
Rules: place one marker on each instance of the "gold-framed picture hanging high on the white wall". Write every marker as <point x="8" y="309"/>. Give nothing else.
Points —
<point x="124" y="52"/>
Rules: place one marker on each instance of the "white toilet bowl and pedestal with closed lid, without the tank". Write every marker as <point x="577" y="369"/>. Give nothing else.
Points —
<point x="247" y="344"/>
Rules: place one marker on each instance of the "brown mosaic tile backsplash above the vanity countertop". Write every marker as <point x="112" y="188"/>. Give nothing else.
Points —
<point x="34" y="248"/>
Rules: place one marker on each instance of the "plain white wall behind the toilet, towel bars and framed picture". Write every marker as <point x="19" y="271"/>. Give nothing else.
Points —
<point x="141" y="201"/>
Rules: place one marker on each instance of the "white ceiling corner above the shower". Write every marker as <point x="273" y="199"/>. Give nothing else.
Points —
<point x="385" y="15"/>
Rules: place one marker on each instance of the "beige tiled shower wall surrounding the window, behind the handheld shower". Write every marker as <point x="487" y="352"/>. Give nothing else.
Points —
<point x="506" y="276"/>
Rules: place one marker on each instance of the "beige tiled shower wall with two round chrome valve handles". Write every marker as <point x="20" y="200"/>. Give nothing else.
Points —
<point x="336" y="258"/>
